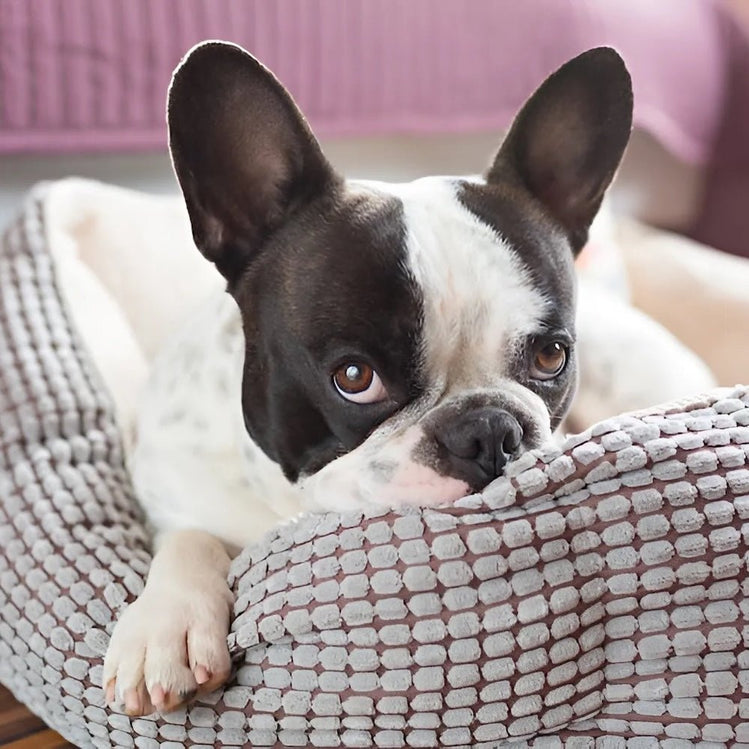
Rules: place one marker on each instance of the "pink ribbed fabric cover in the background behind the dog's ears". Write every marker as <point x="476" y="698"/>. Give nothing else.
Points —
<point x="92" y="74"/>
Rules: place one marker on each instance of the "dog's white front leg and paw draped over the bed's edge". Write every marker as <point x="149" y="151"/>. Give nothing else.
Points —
<point x="171" y="642"/>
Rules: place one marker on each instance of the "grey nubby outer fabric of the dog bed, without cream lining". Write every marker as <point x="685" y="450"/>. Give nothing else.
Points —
<point x="596" y="595"/>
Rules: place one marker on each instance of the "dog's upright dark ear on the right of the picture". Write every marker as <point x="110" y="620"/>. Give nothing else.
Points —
<point x="566" y="143"/>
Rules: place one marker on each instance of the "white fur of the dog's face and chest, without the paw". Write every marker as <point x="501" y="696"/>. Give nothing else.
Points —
<point x="190" y="417"/>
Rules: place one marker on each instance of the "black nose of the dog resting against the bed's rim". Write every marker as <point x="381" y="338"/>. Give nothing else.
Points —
<point x="479" y="443"/>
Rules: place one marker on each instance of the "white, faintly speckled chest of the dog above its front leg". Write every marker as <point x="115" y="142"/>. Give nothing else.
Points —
<point x="190" y="416"/>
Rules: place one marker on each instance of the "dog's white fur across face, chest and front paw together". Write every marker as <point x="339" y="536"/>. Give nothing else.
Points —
<point x="195" y="467"/>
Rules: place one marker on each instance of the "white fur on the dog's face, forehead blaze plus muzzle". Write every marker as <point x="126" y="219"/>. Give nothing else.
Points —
<point x="478" y="303"/>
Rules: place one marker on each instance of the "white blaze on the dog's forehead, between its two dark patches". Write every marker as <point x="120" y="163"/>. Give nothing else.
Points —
<point x="478" y="297"/>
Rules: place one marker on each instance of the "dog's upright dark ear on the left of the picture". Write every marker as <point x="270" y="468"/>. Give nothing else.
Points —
<point x="243" y="153"/>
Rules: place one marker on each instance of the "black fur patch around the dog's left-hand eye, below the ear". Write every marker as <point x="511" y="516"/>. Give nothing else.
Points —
<point x="331" y="286"/>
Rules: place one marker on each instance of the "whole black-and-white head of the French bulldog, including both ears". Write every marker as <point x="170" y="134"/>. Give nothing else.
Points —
<point x="403" y="342"/>
